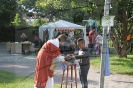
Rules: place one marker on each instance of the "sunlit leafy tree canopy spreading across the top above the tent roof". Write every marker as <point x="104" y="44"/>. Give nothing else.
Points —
<point x="69" y="10"/>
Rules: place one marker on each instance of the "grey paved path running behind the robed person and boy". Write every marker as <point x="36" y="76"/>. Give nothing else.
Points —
<point x="25" y="64"/>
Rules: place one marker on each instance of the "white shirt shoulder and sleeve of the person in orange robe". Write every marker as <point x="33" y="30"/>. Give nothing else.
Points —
<point x="59" y="58"/>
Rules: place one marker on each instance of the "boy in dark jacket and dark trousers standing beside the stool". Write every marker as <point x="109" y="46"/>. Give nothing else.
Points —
<point x="84" y="62"/>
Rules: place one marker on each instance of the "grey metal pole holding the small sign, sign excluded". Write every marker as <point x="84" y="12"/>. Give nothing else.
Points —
<point x="104" y="45"/>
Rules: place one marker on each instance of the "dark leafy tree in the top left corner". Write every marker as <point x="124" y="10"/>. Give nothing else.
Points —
<point x="7" y="11"/>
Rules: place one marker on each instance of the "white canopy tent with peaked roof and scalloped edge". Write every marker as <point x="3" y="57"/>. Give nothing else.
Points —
<point x="60" y="25"/>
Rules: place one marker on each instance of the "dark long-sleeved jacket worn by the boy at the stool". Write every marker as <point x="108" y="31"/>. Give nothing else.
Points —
<point x="84" y="57"/>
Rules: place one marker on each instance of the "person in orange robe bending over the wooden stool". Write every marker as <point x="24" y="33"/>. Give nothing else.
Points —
<point x="48" y="53"/>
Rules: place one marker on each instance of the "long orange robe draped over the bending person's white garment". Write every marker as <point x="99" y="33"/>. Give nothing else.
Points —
<point x="44" y="60"/>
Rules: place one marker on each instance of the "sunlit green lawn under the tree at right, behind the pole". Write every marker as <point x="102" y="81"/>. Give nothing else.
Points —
<point x="117" y="65"/>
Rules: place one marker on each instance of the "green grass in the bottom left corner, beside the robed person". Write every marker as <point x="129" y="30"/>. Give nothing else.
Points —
<point x="11" y="80"/>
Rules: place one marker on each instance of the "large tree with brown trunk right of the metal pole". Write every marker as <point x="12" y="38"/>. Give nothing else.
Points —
<point x="123" y="28"/>
